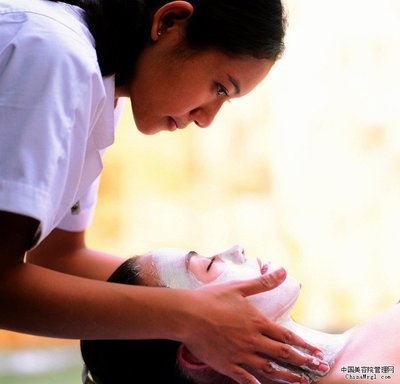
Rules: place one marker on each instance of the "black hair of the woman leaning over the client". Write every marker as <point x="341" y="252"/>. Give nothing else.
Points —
<point x="121" y="29"/>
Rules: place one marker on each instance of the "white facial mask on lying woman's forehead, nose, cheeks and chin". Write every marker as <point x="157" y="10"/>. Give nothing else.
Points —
<point x="173" y="273"/>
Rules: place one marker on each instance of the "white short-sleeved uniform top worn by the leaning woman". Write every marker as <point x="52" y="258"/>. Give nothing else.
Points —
<point x="56" y="114"/>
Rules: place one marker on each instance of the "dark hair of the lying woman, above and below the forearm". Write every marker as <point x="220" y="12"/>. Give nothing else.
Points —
<point x="129" y="361"/>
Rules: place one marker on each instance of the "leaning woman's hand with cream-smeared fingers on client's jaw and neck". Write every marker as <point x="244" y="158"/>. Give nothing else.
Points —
<point x="229" y="334"/>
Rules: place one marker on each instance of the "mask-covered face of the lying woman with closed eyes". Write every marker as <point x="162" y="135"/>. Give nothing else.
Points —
<point x="179" y="268"/>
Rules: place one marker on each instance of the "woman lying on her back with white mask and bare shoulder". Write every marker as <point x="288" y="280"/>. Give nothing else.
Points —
<point x="373" y="343"/>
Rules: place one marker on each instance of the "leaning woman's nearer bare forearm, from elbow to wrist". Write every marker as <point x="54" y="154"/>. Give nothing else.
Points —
<point x="40" y="301"/>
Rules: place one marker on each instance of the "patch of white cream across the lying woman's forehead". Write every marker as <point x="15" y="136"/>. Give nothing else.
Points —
<point x="171" y="267"/>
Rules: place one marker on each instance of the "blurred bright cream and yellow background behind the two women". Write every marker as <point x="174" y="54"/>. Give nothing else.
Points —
<point x="305" y="172"/>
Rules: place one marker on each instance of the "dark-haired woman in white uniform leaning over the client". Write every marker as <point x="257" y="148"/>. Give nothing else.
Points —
<point x="63" y="67"/>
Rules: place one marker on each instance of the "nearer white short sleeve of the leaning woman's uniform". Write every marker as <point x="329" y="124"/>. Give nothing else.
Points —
<point x="50" y="92"/>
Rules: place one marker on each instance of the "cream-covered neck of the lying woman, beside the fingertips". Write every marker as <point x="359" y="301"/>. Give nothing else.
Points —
<point x="329" y="343"/>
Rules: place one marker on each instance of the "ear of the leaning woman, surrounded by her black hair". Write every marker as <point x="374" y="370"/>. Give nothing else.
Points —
<point x="169" y="16"/>
